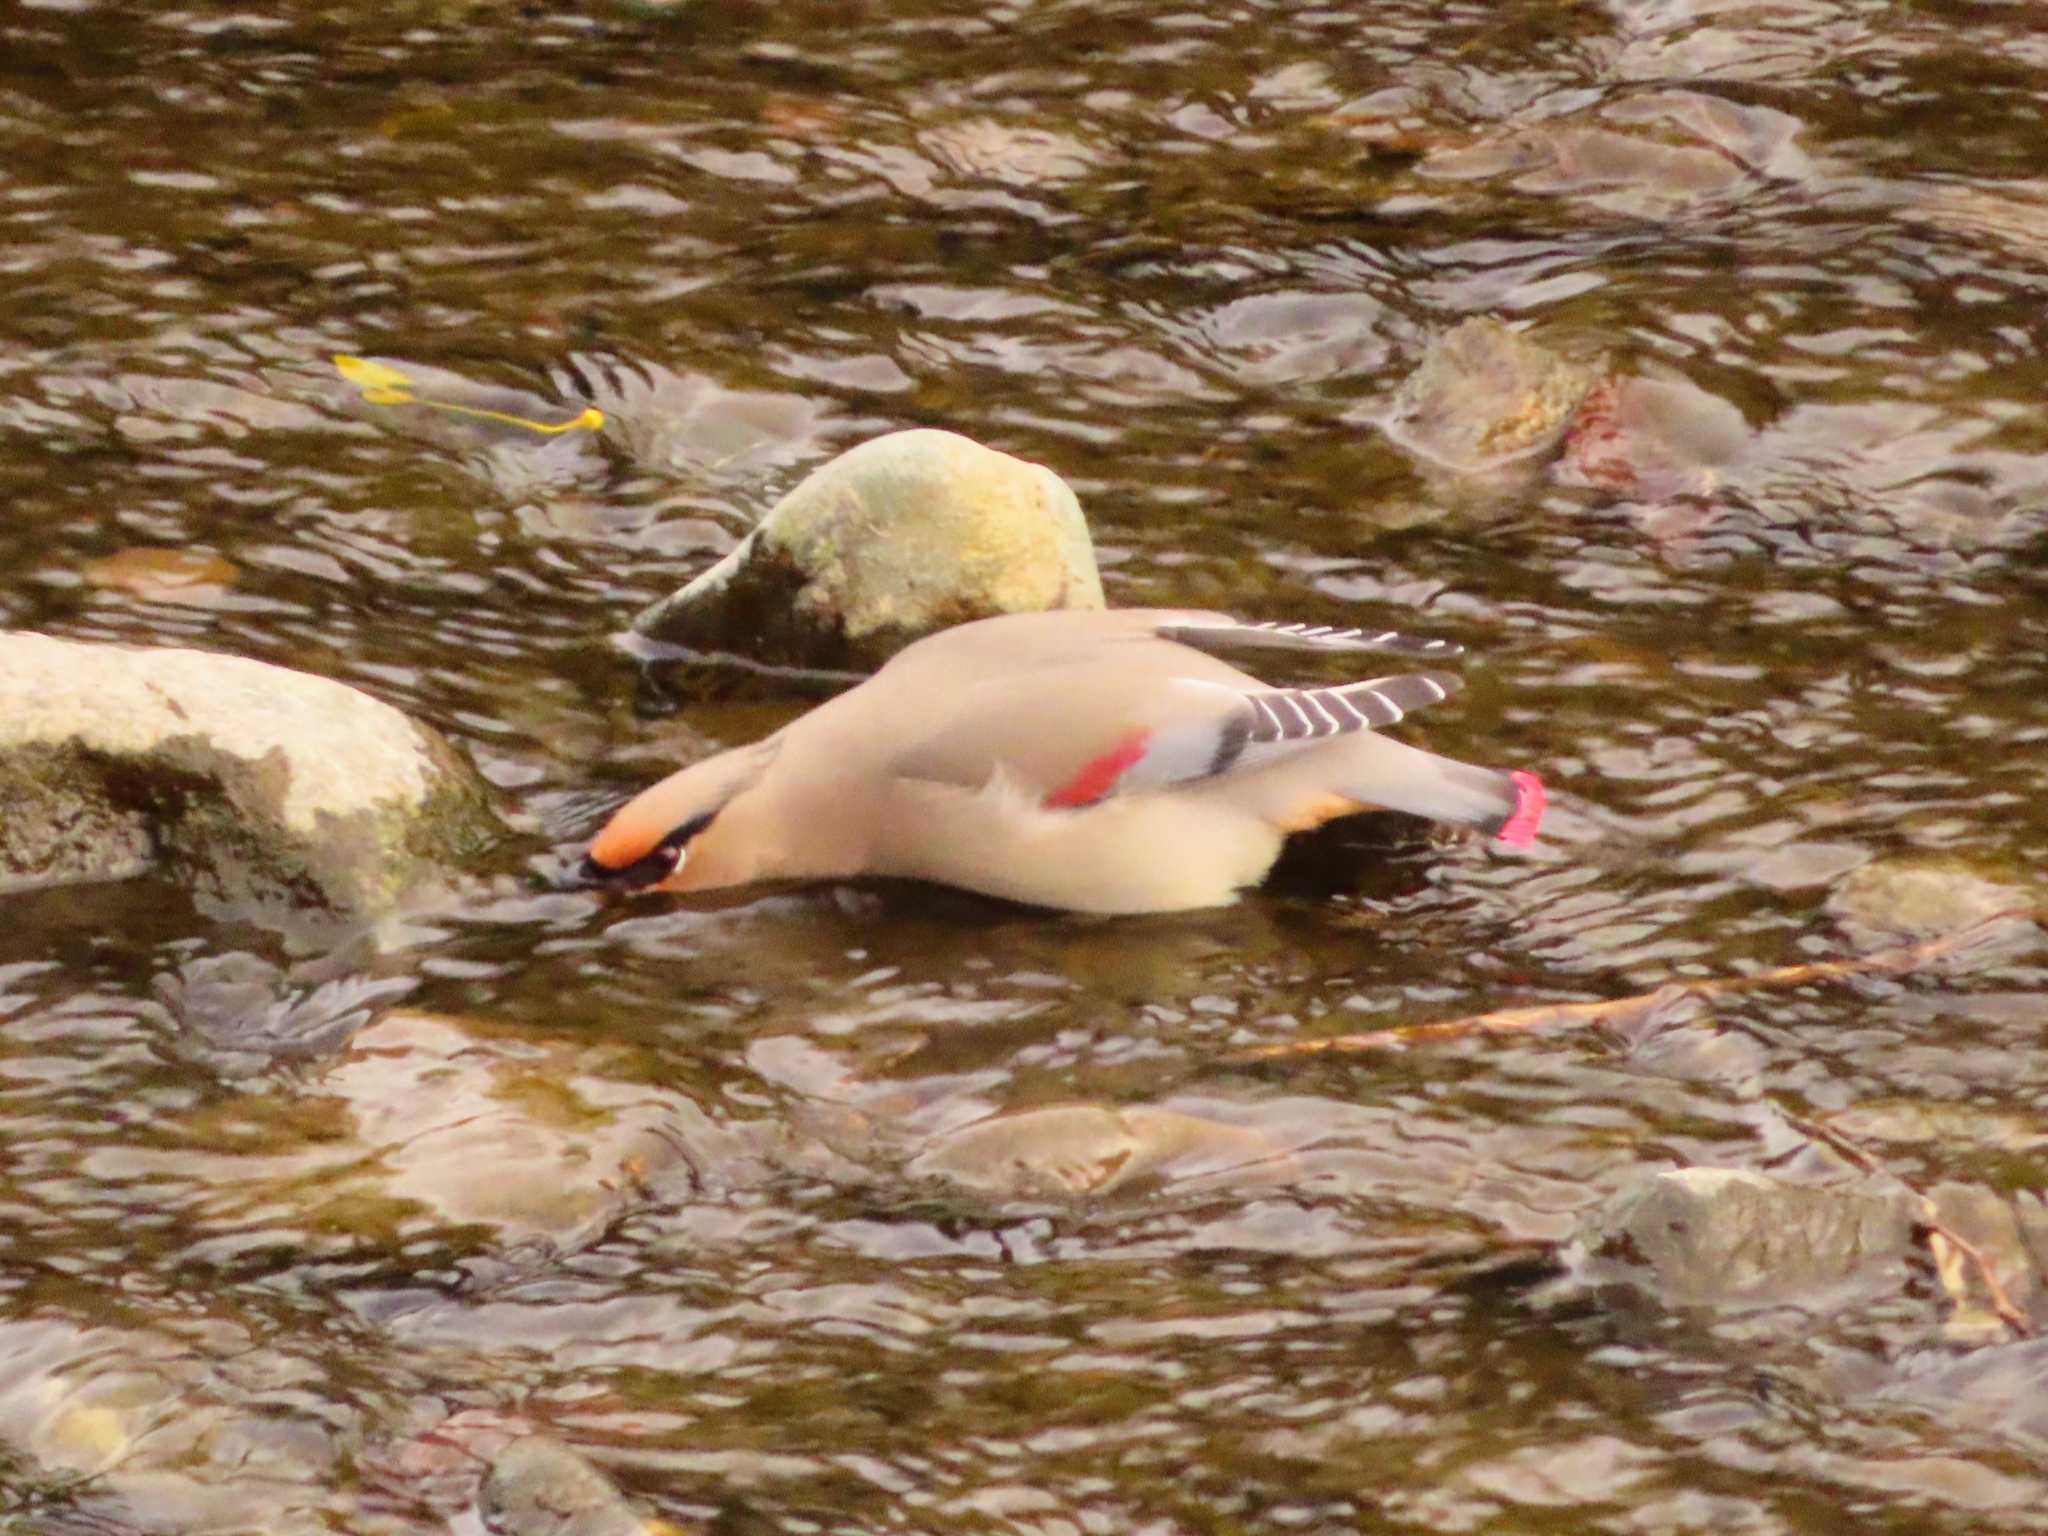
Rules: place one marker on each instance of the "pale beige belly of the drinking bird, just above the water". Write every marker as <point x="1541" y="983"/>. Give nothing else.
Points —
<point x="1140" y="853"/>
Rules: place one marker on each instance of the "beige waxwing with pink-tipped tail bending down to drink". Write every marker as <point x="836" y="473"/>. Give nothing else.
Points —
<point x="1086" y="761"/>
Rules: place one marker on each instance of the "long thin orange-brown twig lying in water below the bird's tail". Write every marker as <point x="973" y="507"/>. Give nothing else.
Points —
<point x="1611" y="1011"/>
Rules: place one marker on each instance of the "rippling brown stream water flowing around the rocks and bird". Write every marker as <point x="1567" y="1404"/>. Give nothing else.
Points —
<point x="1185" y="259"/>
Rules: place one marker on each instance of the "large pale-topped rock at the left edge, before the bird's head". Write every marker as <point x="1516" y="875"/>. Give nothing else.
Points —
<point x="255" y="785"/>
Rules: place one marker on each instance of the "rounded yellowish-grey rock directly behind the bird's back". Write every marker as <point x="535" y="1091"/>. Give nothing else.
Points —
<point x="890" y="542"/>
